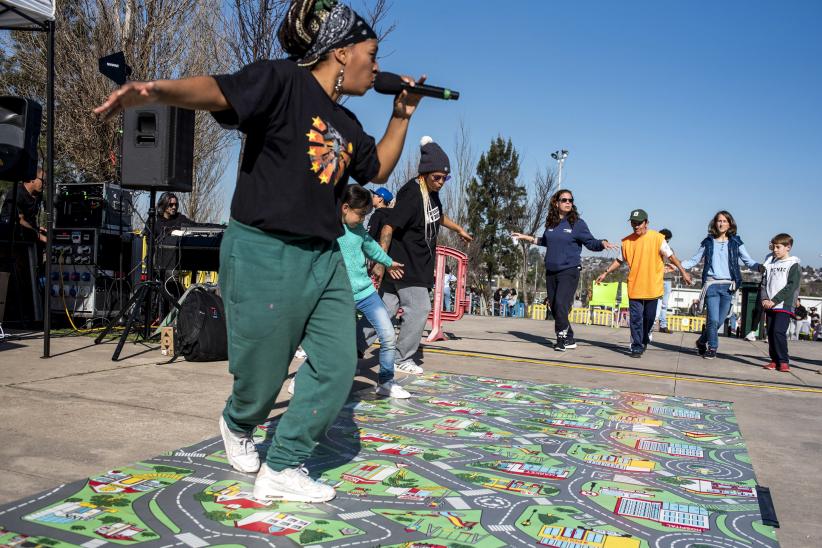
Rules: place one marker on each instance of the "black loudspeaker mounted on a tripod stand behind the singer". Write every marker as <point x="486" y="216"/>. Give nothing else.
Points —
<point x="158" y="148"/>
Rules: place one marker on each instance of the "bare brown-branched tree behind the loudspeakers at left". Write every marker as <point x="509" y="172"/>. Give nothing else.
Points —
<point x="160" y="39"/>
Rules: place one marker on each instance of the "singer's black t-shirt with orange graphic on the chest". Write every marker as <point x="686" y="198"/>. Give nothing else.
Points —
<point x="301" y="148"/>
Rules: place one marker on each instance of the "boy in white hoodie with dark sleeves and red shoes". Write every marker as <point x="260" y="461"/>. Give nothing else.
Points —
<point x="780" y="288"/>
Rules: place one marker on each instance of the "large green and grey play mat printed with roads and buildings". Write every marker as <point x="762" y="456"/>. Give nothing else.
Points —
<point x="467" y="462"/>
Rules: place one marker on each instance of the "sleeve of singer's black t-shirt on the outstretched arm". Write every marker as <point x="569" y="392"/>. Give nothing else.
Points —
<point x="252" y="92"/>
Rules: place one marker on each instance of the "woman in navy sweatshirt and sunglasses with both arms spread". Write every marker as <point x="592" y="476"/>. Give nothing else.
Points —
<point x="565" y="234"/>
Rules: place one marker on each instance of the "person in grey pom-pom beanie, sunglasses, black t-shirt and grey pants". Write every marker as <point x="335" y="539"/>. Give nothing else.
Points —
<point x="410" y="236"/>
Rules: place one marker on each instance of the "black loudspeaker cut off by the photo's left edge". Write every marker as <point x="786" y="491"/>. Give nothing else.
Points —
<point x="19" y="130"/>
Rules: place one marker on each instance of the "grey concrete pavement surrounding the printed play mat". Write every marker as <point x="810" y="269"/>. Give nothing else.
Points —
<point x="79" y="413"/>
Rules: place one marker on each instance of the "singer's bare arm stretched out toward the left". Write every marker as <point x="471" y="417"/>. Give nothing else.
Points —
<point x="196" y="93"/>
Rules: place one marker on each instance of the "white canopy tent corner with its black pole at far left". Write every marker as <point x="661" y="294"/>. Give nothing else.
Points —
<point x="38" y="16"/>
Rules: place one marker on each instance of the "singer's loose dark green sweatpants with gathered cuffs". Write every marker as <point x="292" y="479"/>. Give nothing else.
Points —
<point x="281" y="291"/>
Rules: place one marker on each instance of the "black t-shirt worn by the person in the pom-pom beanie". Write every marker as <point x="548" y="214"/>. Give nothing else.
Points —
<point x="412" y="245"/>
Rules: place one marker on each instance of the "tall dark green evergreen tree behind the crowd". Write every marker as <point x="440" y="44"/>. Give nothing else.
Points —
<point x="496" y="205"/>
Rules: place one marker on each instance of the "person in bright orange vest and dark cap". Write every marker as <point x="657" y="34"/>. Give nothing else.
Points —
<point x="645" y="251"/>
